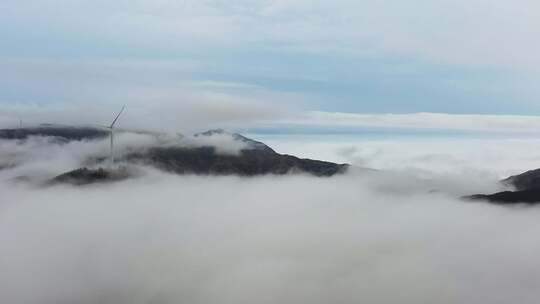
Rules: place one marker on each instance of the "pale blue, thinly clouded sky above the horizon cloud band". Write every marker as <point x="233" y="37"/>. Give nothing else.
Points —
<point x="387" y="56"/>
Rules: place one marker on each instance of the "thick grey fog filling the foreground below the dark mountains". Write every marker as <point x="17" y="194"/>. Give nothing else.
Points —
<point x="277" y="240"/>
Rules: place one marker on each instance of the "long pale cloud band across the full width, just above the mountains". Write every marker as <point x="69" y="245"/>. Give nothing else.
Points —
<point x="198" y="111"/>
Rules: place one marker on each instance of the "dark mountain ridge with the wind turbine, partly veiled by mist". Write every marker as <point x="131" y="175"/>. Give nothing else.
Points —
<point x="255" y="158"/>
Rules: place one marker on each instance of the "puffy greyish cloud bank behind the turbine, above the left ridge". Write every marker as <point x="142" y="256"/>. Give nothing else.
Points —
<point x="184" y="112"/>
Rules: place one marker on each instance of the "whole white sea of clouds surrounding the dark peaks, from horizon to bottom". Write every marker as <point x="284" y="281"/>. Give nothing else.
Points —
<point x="397" y="235"/>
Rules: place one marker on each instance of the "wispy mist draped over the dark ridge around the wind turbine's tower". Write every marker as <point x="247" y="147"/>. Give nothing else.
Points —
<point x="41" y="158"/>
